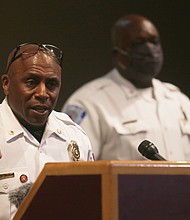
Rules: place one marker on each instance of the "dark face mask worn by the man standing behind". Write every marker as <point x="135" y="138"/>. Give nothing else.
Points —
<point x="144" y="63"/>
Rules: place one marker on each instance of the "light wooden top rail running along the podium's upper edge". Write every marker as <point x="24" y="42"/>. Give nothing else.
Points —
<point x="104" y="166"/>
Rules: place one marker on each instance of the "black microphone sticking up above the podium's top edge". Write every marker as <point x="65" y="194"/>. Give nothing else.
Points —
<point x="149" y="150"/>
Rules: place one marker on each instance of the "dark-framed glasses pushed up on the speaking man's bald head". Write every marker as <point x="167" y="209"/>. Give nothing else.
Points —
<point x="30" y="49"/>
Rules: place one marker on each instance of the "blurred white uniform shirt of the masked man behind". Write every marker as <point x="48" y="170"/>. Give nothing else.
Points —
<point x="117" y="117"/>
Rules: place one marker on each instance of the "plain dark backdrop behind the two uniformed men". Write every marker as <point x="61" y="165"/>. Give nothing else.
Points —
<point x="82" y="30"/>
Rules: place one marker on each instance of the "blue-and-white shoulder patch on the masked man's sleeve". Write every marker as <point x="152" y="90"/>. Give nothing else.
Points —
<point x="76" y="113"/>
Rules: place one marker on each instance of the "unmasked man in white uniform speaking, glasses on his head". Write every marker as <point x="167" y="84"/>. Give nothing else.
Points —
<point x="31" y="132"/>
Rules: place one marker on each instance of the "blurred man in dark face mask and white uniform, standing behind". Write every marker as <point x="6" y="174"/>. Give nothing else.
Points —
<point x="128" y="105"/>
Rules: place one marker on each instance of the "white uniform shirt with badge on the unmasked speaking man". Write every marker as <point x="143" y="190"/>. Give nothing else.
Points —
<point x="22" y="154"/>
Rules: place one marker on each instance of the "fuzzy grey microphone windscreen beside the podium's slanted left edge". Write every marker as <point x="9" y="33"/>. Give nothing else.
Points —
<point x="16" y="196"/>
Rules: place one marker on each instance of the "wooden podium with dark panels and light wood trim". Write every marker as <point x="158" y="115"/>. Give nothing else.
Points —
<point x="109" y="190"/>
